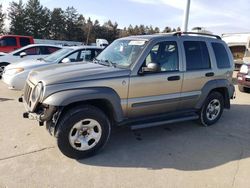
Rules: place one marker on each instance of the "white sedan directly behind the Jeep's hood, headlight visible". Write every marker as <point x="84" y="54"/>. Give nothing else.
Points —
<point x="16" y="74"/>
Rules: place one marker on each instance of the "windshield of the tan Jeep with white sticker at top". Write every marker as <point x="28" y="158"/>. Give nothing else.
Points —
<point x="122" y="53"/>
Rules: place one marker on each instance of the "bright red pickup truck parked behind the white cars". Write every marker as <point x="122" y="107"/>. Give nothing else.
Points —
<point x="9" y="43"/>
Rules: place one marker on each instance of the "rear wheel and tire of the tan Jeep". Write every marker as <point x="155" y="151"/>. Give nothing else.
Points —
<point x="212" y="109"/>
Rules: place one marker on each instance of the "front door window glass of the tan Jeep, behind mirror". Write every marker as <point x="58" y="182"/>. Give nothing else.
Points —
<point x="166" y="55"/>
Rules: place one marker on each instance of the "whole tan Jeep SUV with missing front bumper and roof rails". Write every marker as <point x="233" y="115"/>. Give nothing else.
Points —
<point x="138" y="81"/>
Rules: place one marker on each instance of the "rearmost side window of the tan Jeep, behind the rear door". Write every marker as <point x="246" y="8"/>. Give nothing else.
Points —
<point x="221" y="55"/>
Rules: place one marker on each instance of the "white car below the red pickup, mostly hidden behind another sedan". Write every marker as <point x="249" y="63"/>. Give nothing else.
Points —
<point x="32" y="51"/>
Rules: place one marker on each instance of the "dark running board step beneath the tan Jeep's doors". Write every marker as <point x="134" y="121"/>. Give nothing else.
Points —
<point x="158" y="123"/>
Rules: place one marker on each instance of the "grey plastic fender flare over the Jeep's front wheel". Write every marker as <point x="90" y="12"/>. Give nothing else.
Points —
<point x="67" y="97"/>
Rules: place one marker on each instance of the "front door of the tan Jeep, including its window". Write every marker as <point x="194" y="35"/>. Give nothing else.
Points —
<point x="157" y="92"/>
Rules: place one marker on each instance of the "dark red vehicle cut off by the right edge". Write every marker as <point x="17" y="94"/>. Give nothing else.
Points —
<point x="243" y="77"/>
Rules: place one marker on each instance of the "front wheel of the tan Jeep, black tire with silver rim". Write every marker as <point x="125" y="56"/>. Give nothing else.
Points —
<point x="82" y="132"/>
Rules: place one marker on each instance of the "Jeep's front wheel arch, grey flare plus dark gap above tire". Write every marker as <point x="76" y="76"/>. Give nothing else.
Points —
<point x="105" y="99"/>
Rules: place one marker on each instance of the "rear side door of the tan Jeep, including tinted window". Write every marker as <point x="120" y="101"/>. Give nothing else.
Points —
<point x="198" y="71"/>
